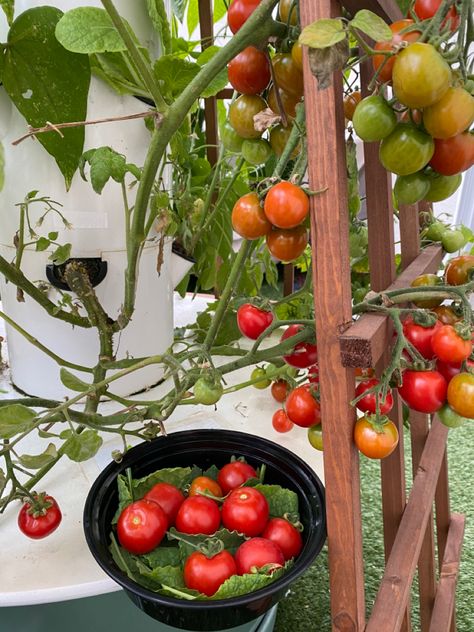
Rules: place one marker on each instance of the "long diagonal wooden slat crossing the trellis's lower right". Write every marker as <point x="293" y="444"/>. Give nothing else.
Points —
<point x="392" y="598"/>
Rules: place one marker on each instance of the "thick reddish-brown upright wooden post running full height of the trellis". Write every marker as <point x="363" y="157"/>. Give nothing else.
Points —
<point x="332" y="294"/>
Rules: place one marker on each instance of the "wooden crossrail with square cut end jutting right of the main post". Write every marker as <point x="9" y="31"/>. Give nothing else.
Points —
<point x="363" y="344"/>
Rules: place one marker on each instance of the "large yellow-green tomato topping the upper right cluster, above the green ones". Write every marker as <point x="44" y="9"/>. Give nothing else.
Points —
<point x="420" y="75"/>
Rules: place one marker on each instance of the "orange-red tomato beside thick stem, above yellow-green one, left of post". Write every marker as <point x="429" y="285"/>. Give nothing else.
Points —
<point x="249" y="71"/>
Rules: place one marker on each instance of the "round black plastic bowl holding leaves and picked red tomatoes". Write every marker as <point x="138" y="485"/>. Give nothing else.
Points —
<point x="204" y="448"/>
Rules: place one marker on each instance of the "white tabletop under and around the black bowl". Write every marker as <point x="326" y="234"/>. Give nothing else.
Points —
<point x="60" y="567"/>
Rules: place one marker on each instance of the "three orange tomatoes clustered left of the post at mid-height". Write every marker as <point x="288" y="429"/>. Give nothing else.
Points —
<point x="281" y="219"/>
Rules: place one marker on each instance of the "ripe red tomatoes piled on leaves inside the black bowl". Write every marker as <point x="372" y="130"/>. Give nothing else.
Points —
<point x="210" y="505"/>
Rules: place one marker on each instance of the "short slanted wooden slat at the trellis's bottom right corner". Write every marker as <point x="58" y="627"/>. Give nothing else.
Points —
<point x="445" y="595"/>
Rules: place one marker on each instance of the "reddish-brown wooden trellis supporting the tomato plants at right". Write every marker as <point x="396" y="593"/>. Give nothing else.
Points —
<point x="342" y="345"/>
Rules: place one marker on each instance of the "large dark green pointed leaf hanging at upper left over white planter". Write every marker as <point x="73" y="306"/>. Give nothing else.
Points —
<point x="37" y="77"/>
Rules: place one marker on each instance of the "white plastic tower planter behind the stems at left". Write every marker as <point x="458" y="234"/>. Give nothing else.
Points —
<point x="98" y="231"/>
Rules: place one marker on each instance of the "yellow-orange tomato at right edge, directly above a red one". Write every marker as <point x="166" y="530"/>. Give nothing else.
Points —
<point x="451" y="115"/>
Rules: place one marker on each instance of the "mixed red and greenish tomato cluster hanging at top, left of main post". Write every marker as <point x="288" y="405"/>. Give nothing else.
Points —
<point x="250" y="75"/>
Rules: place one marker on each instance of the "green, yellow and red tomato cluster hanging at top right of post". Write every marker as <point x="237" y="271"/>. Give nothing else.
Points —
<point x="427" y="142"/>
